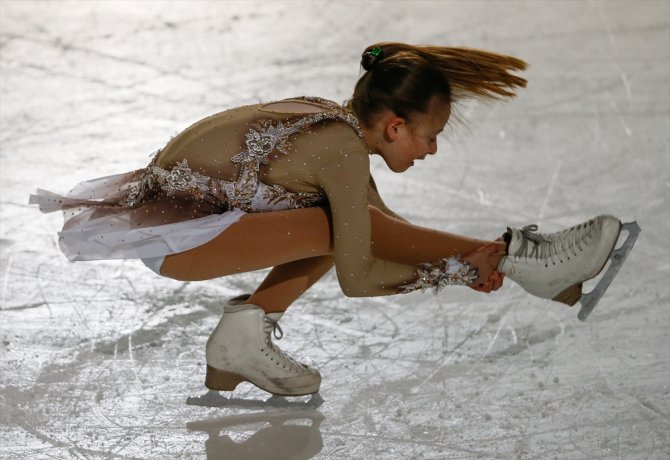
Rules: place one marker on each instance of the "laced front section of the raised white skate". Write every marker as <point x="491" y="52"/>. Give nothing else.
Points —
<point x="555" y="247"/>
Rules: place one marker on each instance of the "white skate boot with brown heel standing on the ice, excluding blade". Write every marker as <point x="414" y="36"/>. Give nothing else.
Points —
<point x="241" y="350"/>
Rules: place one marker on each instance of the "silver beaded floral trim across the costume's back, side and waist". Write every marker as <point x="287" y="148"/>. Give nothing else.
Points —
<point x="263" y="141"/>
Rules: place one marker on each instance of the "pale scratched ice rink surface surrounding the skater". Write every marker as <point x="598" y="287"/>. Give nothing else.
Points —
<point x="105" y="360"/>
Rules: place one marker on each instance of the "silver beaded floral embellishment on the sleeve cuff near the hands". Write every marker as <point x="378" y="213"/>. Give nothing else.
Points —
<point x="452" y="271"/>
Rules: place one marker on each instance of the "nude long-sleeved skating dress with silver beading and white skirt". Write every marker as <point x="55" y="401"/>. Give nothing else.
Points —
<point x="245" y="160"/>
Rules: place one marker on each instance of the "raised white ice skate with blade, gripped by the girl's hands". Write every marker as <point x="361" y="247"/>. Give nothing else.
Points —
<point x="555" y="266"/>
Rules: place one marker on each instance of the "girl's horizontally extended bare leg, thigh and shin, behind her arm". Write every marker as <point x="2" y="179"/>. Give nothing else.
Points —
<point x="269" y="239"/>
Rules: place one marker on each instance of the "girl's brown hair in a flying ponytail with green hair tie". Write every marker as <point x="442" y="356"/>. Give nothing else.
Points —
<point x="403" y="78"/>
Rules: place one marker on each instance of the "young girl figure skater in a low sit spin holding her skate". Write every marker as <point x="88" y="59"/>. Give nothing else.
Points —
<point x="287" y="185"/>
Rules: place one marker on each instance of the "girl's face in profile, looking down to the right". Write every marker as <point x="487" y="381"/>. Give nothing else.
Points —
<point x="401" y="142"/>
